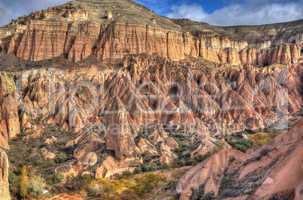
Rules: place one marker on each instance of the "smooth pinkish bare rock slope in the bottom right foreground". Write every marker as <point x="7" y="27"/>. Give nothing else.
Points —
<point x="268" y="173"/>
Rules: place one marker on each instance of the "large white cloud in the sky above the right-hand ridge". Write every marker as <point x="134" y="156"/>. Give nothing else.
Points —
<point x="247" y="12"/>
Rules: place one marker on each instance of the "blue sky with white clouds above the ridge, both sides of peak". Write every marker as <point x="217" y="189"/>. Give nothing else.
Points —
<point x="219" y="12"/>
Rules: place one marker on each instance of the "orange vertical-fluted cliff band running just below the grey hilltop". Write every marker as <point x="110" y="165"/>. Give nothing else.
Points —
<point x="45" y="40"/>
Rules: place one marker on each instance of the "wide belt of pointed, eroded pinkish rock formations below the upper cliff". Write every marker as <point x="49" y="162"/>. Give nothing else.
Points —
<point x="113" y="110"/>
